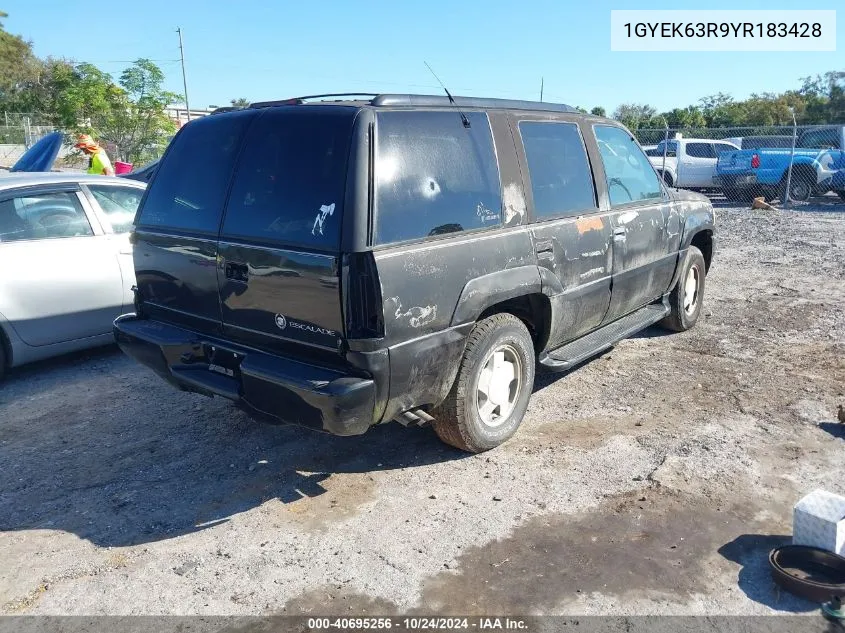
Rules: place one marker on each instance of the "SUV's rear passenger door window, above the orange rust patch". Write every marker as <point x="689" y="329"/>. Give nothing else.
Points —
<point x="561" y="180"/>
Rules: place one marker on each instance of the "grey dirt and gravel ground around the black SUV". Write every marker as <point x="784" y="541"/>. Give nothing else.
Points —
<point x="652" y="480"/>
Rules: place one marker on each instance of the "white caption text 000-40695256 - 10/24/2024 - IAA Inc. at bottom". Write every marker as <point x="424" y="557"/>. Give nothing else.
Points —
<point x="418" y="624"/>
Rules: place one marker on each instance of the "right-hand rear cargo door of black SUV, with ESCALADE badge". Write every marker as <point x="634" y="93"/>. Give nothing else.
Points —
<point x="280" y="239"/>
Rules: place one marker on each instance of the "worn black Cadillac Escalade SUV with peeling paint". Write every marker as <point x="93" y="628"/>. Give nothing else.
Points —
<point x="340" y="263"/>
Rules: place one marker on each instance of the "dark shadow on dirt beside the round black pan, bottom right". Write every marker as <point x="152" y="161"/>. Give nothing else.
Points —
<point x="751" y="551"/>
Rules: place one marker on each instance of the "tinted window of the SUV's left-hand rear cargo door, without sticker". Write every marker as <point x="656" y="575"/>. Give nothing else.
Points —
<point x="189" y="189"/>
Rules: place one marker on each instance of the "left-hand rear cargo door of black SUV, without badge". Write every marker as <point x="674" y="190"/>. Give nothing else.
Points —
<point x="175" y="240"/>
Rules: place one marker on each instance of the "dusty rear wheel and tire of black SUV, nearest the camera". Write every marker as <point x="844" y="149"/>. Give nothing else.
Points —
<point x="458" y="421"/>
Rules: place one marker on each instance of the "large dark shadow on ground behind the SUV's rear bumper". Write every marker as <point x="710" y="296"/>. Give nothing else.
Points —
<point x="128" y="460"/>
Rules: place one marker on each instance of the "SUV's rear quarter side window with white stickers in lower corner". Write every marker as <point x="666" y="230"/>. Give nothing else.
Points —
<point x="434" y="176"/>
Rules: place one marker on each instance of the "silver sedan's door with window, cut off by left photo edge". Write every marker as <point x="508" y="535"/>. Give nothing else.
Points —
<point x="60" y="279"/>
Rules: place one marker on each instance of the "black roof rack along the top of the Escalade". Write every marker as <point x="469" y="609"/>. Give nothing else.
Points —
<point x="386" y="100"/>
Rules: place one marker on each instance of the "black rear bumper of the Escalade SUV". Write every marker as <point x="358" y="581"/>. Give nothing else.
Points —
<point x="265" y="385"/>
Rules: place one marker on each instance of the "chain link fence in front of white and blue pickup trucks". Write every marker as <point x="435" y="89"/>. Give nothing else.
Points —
<point x="792" y="164"/>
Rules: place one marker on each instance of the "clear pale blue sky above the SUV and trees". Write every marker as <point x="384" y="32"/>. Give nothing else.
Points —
<point x="264" y="49"/>
